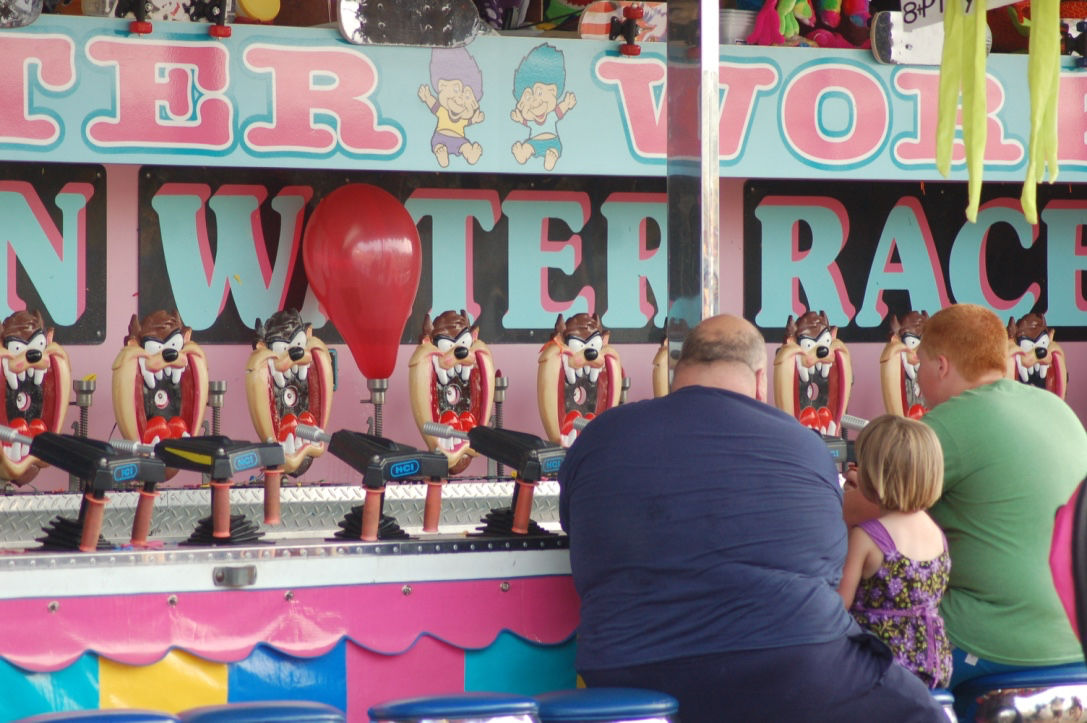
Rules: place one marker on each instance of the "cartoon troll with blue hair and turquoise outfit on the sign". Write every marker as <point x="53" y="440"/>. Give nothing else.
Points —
<point x="540" y="85"/>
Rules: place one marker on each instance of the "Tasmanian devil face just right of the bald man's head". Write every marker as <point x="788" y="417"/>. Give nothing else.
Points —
<point x="813" y="373"/>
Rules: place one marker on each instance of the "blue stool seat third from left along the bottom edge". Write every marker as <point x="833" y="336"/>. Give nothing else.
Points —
<point x="478" y="707"/>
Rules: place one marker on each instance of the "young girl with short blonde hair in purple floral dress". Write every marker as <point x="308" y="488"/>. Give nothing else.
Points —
<point x="897" y="566"/>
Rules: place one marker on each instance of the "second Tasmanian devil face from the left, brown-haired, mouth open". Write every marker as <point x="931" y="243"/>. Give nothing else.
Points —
<point x="160" y="380"/>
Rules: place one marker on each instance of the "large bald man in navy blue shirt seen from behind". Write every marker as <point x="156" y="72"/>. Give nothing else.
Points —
<point x="706" y="542"/>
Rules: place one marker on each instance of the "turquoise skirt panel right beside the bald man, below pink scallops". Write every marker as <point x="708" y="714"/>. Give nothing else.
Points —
<point x="514" y="665"/>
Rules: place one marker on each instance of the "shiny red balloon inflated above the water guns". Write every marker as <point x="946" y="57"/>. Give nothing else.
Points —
<point x="364" y="260"/>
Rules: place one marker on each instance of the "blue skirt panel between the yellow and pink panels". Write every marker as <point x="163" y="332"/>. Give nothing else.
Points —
<point x="270" y="675"/>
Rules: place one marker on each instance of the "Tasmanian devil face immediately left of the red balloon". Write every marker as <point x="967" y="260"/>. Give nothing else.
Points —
<point x="290" y="382"/>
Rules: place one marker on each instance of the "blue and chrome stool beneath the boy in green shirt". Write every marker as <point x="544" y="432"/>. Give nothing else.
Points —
<point x="1023" y="694"/>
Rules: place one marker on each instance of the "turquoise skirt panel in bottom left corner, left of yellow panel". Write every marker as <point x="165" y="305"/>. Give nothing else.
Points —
<point x="26" y="694"/>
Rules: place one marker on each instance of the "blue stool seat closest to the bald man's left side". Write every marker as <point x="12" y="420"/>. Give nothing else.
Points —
<point x="585" y="705"/>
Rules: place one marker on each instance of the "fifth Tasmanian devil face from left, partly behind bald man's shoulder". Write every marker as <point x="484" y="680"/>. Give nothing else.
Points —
<point x="579" y="376"/>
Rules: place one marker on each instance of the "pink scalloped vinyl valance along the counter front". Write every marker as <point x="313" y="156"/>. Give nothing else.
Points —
<point x="224" y="627"/>
